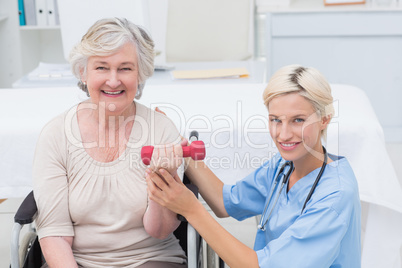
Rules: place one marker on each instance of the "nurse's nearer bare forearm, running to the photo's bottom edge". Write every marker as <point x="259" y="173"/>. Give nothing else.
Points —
<point x="232" y="251"/>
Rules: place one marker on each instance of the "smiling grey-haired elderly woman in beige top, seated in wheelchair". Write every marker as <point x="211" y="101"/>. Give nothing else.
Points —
<point x="89" y="185"/>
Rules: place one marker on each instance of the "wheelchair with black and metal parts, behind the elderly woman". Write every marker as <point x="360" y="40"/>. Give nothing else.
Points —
<point x="28" y="254"/>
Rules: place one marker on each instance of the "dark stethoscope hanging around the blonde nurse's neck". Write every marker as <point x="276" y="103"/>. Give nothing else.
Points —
<point x="285" y="179"/>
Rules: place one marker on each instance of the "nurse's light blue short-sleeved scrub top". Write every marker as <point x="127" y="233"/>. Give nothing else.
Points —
<point x="326" y="234"/>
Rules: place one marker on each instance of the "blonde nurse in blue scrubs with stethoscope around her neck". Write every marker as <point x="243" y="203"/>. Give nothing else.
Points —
<point x="308" y="199"/>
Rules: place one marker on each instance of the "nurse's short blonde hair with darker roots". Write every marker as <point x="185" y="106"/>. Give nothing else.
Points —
<point x="305" y="81"/>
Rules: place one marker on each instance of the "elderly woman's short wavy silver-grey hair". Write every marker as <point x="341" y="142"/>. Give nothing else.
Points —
<point x="107" y="36"/>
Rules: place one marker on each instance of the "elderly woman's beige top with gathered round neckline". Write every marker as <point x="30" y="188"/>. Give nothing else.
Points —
<point x="101" y="204"/>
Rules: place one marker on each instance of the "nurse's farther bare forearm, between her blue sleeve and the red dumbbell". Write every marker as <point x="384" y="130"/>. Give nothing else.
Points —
<point x="209" y="186"/>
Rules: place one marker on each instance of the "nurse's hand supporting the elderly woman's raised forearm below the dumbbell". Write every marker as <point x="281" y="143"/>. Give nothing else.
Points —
<point x="170" y="192"/>
